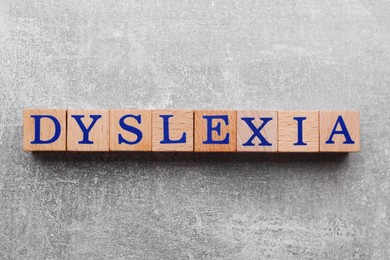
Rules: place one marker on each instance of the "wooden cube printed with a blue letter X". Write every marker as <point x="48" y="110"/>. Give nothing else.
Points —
<point x="257" y="131"/>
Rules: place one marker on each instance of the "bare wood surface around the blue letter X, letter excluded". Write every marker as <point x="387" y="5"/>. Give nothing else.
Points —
<point x="269" y="131"/>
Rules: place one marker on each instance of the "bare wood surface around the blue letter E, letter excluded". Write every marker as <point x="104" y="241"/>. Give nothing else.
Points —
<point x="201" y="131"/>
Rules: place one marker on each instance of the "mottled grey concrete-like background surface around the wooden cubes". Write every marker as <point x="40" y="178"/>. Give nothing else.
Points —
<point x="195" y="54"/>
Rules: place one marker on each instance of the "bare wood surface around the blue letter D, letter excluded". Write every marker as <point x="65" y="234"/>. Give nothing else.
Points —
<point x="47" y="130"/>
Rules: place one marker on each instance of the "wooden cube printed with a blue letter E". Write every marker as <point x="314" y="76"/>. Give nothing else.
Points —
<point x="215" y="131"/>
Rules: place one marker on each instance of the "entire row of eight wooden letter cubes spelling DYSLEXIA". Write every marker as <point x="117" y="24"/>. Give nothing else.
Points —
<point x="187" y="130"/>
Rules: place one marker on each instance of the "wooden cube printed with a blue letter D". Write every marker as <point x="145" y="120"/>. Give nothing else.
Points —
<point x="44" y="130"/>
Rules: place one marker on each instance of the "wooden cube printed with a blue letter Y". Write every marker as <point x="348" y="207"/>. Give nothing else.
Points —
<point x="88" y="130"/>
